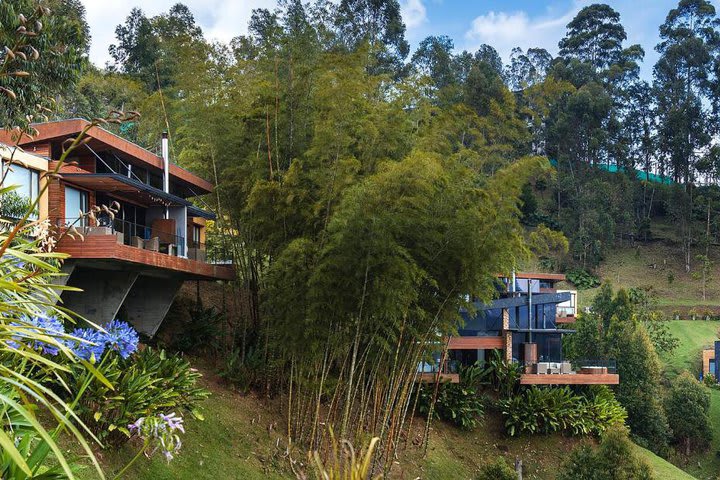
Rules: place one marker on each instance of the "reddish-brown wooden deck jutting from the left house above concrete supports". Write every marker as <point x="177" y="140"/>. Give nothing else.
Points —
<point x="106" y="247"/>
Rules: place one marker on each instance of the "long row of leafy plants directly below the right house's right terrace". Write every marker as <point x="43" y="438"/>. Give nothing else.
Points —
<point x="547" y="410"/>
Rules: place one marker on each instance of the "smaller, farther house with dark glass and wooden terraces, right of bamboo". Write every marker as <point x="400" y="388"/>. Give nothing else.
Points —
<point x="527" y="323"/>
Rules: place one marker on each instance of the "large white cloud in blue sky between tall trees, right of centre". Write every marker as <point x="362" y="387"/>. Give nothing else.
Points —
<point x="504" y="31"/>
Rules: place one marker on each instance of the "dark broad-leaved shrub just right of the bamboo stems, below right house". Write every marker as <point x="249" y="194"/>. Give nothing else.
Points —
<point x="458" y="403"/>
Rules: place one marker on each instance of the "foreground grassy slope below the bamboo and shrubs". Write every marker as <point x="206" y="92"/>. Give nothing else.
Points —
<point x="241" y="438"/>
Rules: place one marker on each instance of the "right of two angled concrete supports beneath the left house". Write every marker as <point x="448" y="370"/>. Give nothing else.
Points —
<point x="149" y="301"/>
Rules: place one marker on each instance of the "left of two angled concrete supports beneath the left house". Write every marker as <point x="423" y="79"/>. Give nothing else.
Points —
<point x="103" y="292"/>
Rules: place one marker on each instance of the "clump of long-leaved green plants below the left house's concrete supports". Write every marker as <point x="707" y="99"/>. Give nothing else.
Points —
<point x="147" y="383"/>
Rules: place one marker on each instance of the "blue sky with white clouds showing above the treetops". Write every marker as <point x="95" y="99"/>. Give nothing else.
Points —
<point x="502" y="24"/>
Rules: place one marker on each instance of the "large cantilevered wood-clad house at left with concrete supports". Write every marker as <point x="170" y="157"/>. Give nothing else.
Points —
<point x="137" y="261"/>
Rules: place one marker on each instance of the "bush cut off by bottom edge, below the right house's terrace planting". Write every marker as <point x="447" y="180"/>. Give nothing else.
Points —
<point x="614" y="459"/>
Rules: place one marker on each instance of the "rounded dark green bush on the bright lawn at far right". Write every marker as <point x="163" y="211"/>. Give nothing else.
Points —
<point x="688" y="405"/>
